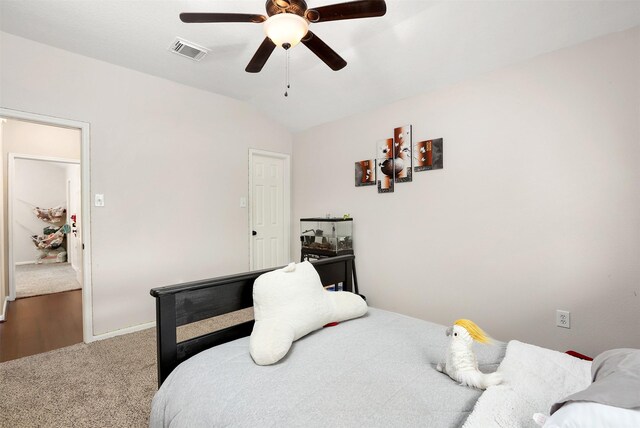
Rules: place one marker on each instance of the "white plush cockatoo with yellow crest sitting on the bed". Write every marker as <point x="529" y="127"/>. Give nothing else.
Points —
<point x="461" y="364"/>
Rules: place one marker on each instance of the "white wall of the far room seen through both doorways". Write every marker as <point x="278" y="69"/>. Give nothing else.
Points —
<point x="36" y="183"/>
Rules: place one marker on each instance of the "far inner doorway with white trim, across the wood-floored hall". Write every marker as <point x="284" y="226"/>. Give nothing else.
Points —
<point x="44" y="213"/>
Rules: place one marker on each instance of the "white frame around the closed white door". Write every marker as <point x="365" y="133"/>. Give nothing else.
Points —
<point x="286" y="198"/>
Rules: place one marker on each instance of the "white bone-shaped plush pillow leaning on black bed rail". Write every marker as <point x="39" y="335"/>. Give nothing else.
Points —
<point x="289" y="303"/>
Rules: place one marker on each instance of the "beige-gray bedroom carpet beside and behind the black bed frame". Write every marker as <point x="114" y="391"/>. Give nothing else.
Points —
<point x="109" y="383"/>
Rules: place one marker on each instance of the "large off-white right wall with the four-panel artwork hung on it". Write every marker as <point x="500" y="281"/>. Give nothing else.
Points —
<point x="537" y="209"/>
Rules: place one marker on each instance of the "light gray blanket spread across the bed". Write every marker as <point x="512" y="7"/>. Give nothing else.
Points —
<point x="374" y="371"/>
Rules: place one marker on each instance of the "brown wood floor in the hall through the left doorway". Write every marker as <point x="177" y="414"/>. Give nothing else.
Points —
<point x="39" y="324"/>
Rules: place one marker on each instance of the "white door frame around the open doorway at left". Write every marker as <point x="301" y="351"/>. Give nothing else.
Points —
<point x="85" y="192"/>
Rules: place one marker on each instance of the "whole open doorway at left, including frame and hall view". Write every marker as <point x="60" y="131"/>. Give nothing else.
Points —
<point x="45" y="266"/>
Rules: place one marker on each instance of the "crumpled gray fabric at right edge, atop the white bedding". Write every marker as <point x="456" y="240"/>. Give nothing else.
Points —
<point x="616" y="381"/>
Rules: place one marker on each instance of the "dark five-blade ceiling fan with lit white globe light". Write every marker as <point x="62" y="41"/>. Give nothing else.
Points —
<point x="288" y="25"/>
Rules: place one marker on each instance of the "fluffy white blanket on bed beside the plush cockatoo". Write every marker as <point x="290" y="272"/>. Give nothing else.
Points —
<point x="534" y="378"/>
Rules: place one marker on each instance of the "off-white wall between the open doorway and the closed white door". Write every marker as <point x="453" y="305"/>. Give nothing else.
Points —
<point x="171" y="161"/>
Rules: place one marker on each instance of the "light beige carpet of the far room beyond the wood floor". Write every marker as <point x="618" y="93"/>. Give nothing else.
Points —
<point x="37" y="279"/>
